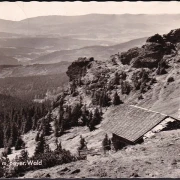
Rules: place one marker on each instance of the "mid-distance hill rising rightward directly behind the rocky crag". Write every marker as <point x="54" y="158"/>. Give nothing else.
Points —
<point x="101" y="53"/>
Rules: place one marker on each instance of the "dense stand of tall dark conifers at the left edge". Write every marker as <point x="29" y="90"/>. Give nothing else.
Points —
<point x="16" y="122"/>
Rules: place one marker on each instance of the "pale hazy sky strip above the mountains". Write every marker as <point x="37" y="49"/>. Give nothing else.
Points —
<point x="22" y="10"/>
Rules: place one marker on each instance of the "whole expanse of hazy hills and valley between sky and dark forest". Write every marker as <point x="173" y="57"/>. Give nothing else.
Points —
<point x="51" y="39"/>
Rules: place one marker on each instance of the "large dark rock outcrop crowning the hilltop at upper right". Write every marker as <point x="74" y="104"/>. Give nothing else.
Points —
<point x="150" y="54"/>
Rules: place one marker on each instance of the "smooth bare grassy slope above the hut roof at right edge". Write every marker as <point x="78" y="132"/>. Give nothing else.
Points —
<point x="164" y="97"/>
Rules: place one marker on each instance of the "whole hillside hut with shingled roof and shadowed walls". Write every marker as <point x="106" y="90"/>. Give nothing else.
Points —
<point x="131" y="124"/>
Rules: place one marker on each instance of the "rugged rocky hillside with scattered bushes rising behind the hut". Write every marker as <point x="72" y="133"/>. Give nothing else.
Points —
<point x="138" y="75"/>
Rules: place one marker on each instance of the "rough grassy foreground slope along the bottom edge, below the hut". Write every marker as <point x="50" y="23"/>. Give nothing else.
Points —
<point x="157" y="157"/>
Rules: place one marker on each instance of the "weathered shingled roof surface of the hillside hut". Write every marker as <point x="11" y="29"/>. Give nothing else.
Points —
<point x="131" y="122"/>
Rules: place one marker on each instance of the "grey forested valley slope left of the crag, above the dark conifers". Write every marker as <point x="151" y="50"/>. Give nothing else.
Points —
<point x="27" y="88"/>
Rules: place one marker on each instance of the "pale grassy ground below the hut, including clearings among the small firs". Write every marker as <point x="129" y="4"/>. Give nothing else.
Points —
<point x="157" y="157"/>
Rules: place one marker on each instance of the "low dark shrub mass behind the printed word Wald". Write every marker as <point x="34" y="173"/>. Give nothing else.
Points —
<point x="48" y="158"/>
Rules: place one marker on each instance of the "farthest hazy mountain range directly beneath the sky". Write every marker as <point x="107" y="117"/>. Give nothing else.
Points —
<point x="102" y="26"/>
